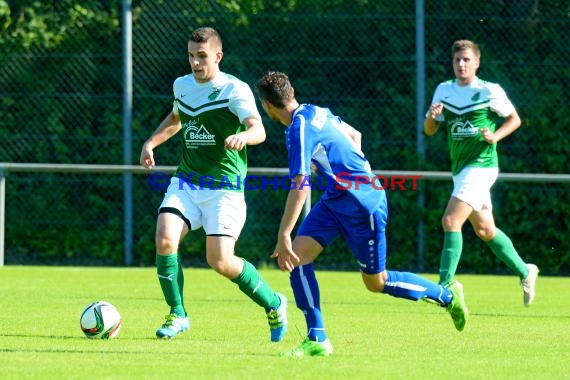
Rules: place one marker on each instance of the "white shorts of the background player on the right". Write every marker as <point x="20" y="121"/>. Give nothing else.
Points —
<point x="473" y="186"/>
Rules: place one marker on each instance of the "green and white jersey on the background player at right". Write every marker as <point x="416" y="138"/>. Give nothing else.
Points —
<point x="467" y="110"/>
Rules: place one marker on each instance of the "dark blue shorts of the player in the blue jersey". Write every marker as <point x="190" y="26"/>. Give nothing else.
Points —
<point x="365" y="234"/>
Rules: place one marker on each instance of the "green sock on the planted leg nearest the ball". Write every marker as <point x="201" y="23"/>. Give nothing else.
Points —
<point x="171" y="278"/>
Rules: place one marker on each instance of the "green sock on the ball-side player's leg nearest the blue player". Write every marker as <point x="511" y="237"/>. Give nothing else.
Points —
<point x="251" y="283"/>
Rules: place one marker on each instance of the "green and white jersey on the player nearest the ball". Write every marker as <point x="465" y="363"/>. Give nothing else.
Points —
<point x="209" y="113"/>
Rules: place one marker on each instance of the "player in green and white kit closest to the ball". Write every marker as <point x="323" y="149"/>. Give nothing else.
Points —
<point x="217" y="117"/>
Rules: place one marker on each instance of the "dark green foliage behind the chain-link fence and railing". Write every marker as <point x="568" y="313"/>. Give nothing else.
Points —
<point x="61" y="102"/>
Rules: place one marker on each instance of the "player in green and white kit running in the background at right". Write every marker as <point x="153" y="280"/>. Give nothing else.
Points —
<point x="468" y="108"/>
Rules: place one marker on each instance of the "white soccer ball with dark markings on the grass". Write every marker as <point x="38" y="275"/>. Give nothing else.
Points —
<point x="100" y="320"/>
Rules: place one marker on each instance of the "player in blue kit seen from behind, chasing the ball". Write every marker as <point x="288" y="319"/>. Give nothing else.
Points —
<point x="314" y="136"/>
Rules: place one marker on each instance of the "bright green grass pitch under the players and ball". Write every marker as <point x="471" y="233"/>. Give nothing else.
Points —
<point x="374" y="336"/>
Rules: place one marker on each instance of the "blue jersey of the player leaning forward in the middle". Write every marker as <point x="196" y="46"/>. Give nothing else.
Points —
<point x="316" y="135"/>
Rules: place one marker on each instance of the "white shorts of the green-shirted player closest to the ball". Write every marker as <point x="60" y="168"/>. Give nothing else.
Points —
<point x="219" y="212"/>
